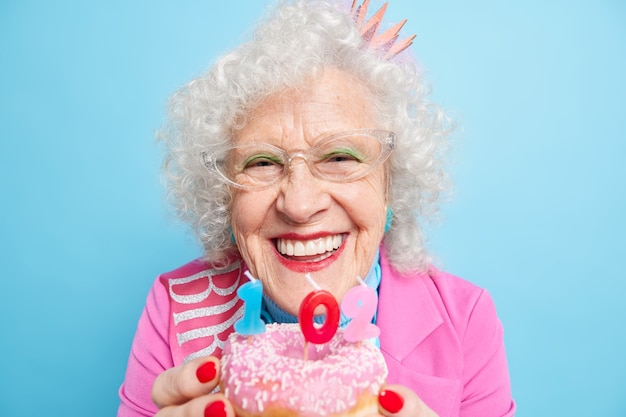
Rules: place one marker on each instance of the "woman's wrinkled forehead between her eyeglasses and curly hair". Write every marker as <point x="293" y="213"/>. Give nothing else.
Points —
<point x="329" y="103"/>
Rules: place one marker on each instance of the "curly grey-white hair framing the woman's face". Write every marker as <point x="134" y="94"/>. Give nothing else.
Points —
<point x="293" y="43"/>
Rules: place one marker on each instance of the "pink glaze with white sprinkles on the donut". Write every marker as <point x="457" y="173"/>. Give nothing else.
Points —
<point x="268" y="370"/>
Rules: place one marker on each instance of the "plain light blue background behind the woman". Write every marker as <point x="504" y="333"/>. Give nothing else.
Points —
<point x="537" y="89"/>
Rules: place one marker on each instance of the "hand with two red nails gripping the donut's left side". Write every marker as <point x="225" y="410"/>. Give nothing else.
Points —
<point x="185" y="391"/>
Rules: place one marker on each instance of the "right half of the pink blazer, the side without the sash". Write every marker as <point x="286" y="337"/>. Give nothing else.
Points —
<point x="441" y="337"/>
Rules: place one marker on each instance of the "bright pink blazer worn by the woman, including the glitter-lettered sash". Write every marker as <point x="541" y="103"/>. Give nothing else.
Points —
<point x="439" y="334"/>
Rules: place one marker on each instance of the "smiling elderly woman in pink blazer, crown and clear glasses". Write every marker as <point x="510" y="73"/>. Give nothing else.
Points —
<point x="311" y="148"/>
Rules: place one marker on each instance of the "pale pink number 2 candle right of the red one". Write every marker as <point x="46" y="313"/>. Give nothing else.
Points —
<point x="360" y="304"/>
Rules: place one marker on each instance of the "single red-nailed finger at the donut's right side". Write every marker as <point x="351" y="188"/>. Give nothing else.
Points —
<point x="400" y="401"/>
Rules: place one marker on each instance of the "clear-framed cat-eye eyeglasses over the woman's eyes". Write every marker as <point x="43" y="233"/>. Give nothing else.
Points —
<point x="340" y="158"/>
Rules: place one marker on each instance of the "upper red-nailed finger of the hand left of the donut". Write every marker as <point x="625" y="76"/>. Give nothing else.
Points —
<point x="183" y="383"/>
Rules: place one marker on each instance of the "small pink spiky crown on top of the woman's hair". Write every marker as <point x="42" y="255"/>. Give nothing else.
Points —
<point x="385" y="41"/>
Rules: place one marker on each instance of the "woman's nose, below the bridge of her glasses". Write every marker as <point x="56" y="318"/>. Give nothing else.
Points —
<point x="302" y="197"/>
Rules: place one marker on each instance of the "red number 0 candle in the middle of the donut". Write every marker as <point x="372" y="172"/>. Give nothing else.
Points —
<point x="326" y="332"/>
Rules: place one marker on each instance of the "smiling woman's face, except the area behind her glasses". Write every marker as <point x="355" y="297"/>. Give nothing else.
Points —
<point x="302" y="209"/>
